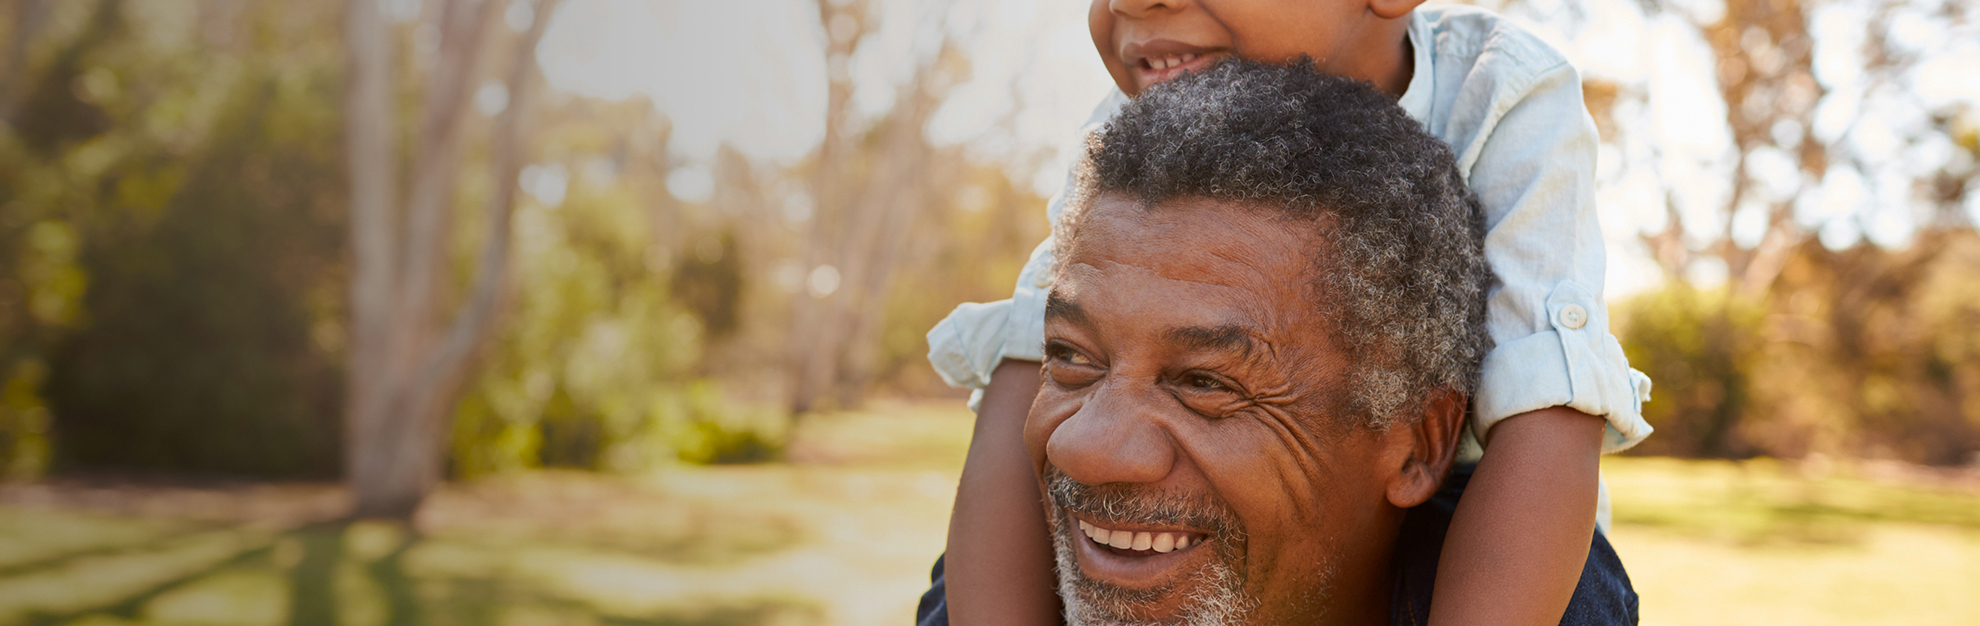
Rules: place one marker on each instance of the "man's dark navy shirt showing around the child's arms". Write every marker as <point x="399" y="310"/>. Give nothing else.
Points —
<point x="1603" y="597"/>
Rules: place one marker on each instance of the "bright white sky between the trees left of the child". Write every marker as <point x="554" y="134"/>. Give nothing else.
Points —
<point x="753" y="72"/>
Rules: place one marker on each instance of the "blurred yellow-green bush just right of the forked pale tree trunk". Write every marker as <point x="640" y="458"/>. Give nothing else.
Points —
<point x="599" y="364"/>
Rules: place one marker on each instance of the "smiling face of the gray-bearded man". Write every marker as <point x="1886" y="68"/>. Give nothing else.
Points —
<point x="1189" y="437"/>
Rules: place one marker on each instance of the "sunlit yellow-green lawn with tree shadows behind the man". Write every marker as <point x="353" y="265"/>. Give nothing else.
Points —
<point x="846" y="532"/>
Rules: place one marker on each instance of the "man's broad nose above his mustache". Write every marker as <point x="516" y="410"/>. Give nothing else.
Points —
<point x="1112" y="441"/>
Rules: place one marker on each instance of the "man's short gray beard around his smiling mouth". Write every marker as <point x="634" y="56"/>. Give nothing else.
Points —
<point x="1219" y="601"/>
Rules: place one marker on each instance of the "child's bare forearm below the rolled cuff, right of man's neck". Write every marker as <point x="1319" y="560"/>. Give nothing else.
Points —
<point x="1522" y="530"/>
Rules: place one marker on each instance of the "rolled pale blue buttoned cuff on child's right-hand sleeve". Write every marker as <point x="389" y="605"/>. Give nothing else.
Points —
<point x="1575" y="364"/>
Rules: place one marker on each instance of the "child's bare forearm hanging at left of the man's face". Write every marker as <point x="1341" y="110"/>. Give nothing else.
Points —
<point x="999" y="562"/>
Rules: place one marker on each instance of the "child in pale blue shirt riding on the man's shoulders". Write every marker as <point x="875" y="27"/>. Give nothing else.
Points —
<point x="1555" y="393"/>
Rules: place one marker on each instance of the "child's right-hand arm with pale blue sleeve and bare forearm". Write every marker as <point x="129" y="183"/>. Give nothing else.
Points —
<point x="1555" y="375"/>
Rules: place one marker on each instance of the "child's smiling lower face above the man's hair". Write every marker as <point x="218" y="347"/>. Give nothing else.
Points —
<point x="1145" y="43"/>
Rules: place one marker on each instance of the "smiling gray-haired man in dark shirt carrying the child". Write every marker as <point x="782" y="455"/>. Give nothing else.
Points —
<point x="1258" y="356"/>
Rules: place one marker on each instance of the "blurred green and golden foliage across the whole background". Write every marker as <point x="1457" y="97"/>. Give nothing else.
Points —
<point x="173" y="262"/>
